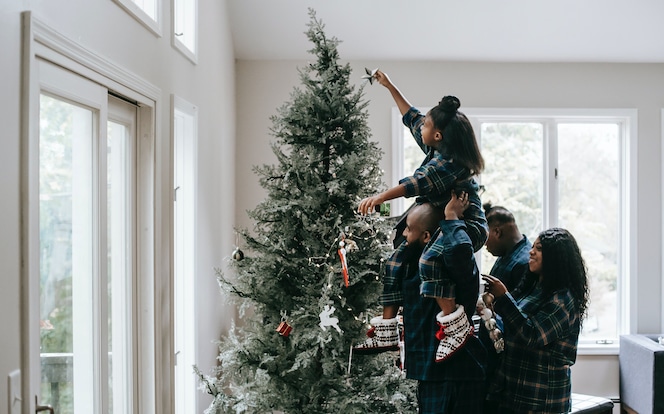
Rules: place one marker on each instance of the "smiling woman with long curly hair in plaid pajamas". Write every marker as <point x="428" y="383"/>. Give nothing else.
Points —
<point x="542" y="321"/>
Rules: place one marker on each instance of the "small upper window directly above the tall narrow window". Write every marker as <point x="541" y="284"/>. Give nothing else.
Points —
<point x="185" y="28"/>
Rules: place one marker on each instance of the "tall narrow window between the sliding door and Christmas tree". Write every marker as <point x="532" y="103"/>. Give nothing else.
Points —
<point x="184" y="138"/>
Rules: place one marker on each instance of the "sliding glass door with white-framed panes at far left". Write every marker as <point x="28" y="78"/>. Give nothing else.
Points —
<point x="85" y="243"/>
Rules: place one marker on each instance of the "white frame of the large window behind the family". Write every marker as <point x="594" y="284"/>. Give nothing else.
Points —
<point x="627" y="118"/>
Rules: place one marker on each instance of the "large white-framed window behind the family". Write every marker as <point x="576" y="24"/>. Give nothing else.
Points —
<point x="564" y="168"/>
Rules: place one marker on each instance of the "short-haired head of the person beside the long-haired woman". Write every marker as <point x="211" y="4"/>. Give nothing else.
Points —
<point x="503" y="231"/>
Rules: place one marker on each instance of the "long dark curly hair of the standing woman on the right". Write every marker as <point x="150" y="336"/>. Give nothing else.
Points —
<point x="563" y="266"/>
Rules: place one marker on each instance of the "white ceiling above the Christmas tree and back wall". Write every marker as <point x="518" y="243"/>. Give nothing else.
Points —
<point x="455" y="30"/>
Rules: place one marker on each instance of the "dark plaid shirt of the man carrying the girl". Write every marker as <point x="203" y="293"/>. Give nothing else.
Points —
<point x="419" y="313"/>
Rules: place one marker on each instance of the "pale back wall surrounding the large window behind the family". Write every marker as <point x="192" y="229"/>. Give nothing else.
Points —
<point x="263" y="86"/>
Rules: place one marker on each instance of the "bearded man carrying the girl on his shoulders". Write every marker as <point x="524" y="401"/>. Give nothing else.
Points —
<point x="456" y="385"/>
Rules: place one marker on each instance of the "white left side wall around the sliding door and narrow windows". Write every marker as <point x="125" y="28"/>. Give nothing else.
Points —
<point x="102" y="27"/>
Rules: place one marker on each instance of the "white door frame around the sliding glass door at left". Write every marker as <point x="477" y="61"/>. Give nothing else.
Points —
<point x="154" y="357"/>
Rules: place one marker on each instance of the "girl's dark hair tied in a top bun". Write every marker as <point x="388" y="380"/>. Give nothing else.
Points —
<point x="460" y="143"/>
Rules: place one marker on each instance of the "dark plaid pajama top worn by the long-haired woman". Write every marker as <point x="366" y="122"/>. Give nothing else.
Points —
<point x="541" y="337"/>
